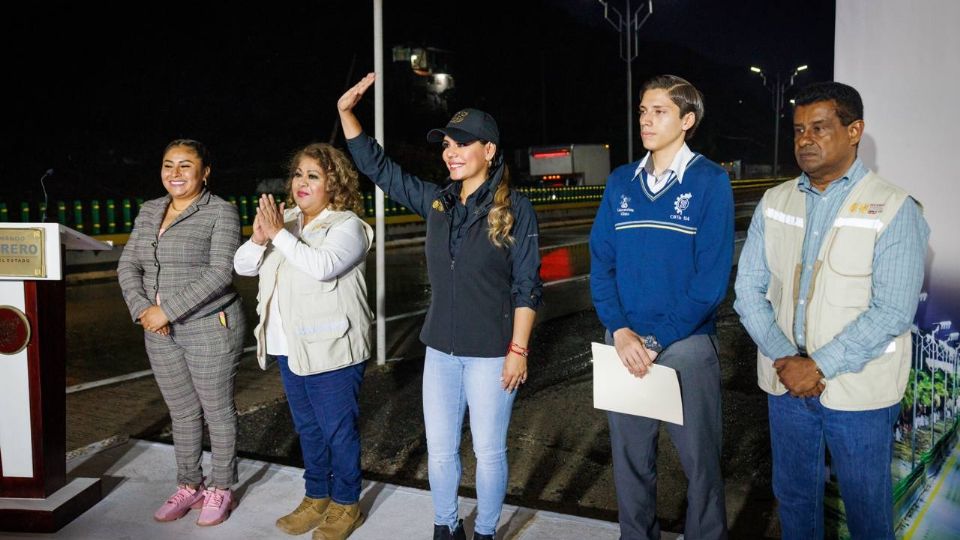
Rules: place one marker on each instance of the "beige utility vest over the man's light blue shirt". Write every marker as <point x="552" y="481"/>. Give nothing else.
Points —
<point x="840" y="289"/>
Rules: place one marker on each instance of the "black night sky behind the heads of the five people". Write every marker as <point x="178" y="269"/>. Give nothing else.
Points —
<point x="98" y="90"/>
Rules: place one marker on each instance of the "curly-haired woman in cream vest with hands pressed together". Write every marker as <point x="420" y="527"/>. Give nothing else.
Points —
<point x="314" y="319"/>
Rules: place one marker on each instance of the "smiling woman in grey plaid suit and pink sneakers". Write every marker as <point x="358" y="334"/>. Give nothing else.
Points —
<point x="176" y="277"/>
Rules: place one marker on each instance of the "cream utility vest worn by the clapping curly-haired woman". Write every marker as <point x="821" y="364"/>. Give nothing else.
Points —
<point x="326" y="323"/>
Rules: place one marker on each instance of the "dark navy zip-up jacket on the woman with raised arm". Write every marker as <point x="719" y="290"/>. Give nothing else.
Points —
<point x="476" y="285"/>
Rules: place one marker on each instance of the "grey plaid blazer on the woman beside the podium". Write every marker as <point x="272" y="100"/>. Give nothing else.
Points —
<point x="190" y="266"/>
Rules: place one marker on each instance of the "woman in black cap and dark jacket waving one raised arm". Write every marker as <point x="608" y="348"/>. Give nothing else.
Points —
<point x="483" y="262"/>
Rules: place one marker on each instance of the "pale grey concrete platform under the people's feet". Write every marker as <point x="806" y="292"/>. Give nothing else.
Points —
<point x="137" y="476"/>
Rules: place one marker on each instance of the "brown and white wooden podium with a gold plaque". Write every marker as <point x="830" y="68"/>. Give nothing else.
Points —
<point x="35" y="495"/>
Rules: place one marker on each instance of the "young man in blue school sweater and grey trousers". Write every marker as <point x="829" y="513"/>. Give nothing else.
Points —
<point x="661" y="250"/>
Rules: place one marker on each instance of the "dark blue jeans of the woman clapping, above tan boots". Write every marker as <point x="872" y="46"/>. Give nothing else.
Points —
<point x="325" y="407"/>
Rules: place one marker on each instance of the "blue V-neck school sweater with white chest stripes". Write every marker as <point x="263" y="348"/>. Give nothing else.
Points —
<point x="660" y="264"/>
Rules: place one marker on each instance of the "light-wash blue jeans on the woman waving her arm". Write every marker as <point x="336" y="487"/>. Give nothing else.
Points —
<point x="450" y="385"/>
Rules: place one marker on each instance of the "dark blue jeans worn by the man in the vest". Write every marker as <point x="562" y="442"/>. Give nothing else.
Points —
<point x="861" y="449"/>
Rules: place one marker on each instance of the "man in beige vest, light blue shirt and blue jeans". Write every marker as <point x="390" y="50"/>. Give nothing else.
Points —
<point x="827" y="286"/>
